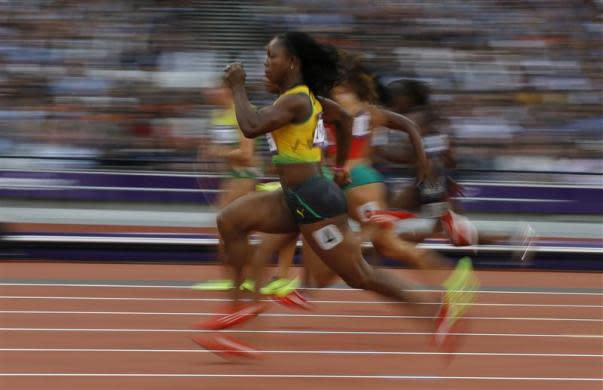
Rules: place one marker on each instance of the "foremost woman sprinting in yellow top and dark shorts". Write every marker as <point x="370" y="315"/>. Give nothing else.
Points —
<point x="308" y="202"/>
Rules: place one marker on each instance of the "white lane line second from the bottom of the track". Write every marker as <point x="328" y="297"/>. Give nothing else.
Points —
<point x="308" y="352"/>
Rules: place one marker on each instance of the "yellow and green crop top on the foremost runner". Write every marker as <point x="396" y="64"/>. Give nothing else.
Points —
<point x="299" y="142"/>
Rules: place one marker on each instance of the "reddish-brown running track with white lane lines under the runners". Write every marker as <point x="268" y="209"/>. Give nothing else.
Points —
<point x="124" y="326"/>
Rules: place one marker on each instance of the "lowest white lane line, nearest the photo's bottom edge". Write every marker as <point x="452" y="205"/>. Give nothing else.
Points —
<point x="306" y="376"/>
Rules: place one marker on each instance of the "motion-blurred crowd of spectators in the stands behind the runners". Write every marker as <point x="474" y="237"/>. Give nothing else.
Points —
<point x="119" y="83"/>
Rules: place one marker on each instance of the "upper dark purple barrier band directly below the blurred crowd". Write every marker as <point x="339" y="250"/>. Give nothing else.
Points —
<point x="485" y="196"/>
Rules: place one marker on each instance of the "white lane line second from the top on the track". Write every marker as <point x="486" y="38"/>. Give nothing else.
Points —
<point x="335" y="302"/>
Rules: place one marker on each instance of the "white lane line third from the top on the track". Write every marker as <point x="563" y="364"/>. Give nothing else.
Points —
<point x="286" y="315"/>
